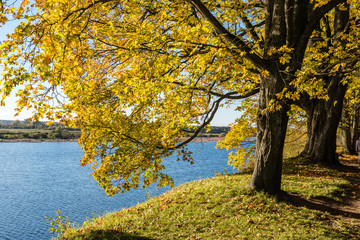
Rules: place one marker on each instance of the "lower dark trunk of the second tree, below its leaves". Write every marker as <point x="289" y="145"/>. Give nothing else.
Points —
<point x="323" y="121"/>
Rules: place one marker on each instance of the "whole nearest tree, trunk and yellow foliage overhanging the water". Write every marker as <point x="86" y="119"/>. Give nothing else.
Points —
<point x="137" y="74"/>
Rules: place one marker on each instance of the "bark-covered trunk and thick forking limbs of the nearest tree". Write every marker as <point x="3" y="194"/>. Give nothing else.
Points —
<point x="287" y="23"/>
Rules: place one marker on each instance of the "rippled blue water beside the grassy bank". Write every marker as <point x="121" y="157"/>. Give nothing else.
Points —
<point x="36" y="179"/>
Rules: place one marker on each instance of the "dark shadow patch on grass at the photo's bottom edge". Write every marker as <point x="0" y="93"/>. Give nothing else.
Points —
<point x="110" y="235"/>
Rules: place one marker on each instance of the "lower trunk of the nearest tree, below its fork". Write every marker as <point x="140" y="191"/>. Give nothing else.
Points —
<point x="271" y="131"/>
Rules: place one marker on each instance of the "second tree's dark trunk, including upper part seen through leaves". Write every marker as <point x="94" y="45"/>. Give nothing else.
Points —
<point x="324" y="116"/>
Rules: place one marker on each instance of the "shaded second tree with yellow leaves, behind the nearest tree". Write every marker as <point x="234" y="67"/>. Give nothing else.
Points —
<point x="334" y="61"/>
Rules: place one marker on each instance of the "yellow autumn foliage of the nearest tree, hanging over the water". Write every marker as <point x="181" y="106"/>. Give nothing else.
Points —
<point x="136" y="75"/>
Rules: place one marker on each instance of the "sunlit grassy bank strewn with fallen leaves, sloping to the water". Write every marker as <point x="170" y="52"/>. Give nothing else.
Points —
<point x="224" y="208"/>
